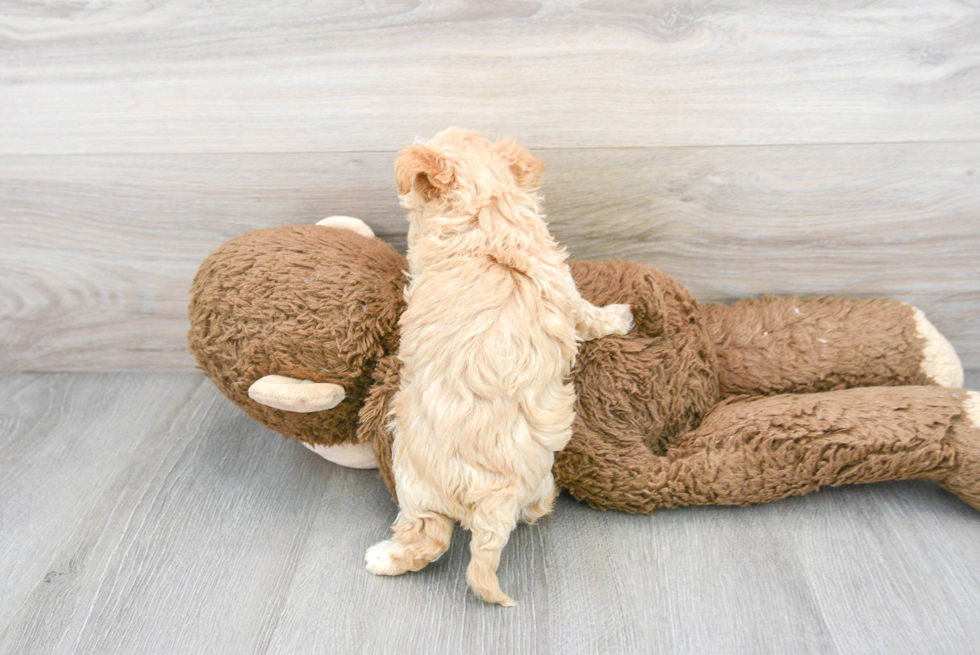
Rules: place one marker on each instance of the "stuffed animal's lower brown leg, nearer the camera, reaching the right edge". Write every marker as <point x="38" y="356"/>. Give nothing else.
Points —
<point x="761" y="449"/>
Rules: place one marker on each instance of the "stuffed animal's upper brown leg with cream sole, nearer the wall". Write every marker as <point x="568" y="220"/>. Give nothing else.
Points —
<point x="793" y="345"/>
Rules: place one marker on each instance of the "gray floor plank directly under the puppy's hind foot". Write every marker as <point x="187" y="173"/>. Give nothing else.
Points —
<point x="432" y="611"/>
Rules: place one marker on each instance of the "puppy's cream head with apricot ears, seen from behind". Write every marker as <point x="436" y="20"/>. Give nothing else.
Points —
<point x="459" y="168"/>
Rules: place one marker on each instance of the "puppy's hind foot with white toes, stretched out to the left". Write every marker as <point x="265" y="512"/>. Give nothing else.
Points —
<point x="417" y="540"/>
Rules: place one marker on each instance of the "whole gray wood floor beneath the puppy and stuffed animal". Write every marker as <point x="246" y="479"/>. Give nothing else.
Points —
<point x="143" y="513"/>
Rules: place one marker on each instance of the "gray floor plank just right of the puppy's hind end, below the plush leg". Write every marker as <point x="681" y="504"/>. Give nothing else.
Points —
<point x="699" y="580"/>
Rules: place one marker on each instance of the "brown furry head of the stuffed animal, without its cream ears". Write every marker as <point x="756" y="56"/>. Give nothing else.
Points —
<point x="307" y="302"/>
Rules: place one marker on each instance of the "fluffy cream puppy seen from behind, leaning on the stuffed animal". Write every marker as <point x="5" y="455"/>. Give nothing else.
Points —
<point x="487" y="342"/>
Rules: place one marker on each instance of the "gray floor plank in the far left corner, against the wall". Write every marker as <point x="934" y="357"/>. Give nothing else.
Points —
<point x="63" y="440"/>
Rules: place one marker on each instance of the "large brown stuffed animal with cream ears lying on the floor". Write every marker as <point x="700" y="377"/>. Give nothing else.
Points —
<point x="729" y="405"/>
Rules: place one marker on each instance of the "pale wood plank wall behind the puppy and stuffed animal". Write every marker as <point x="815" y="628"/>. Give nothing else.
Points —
<point x="746" y="148"/>
